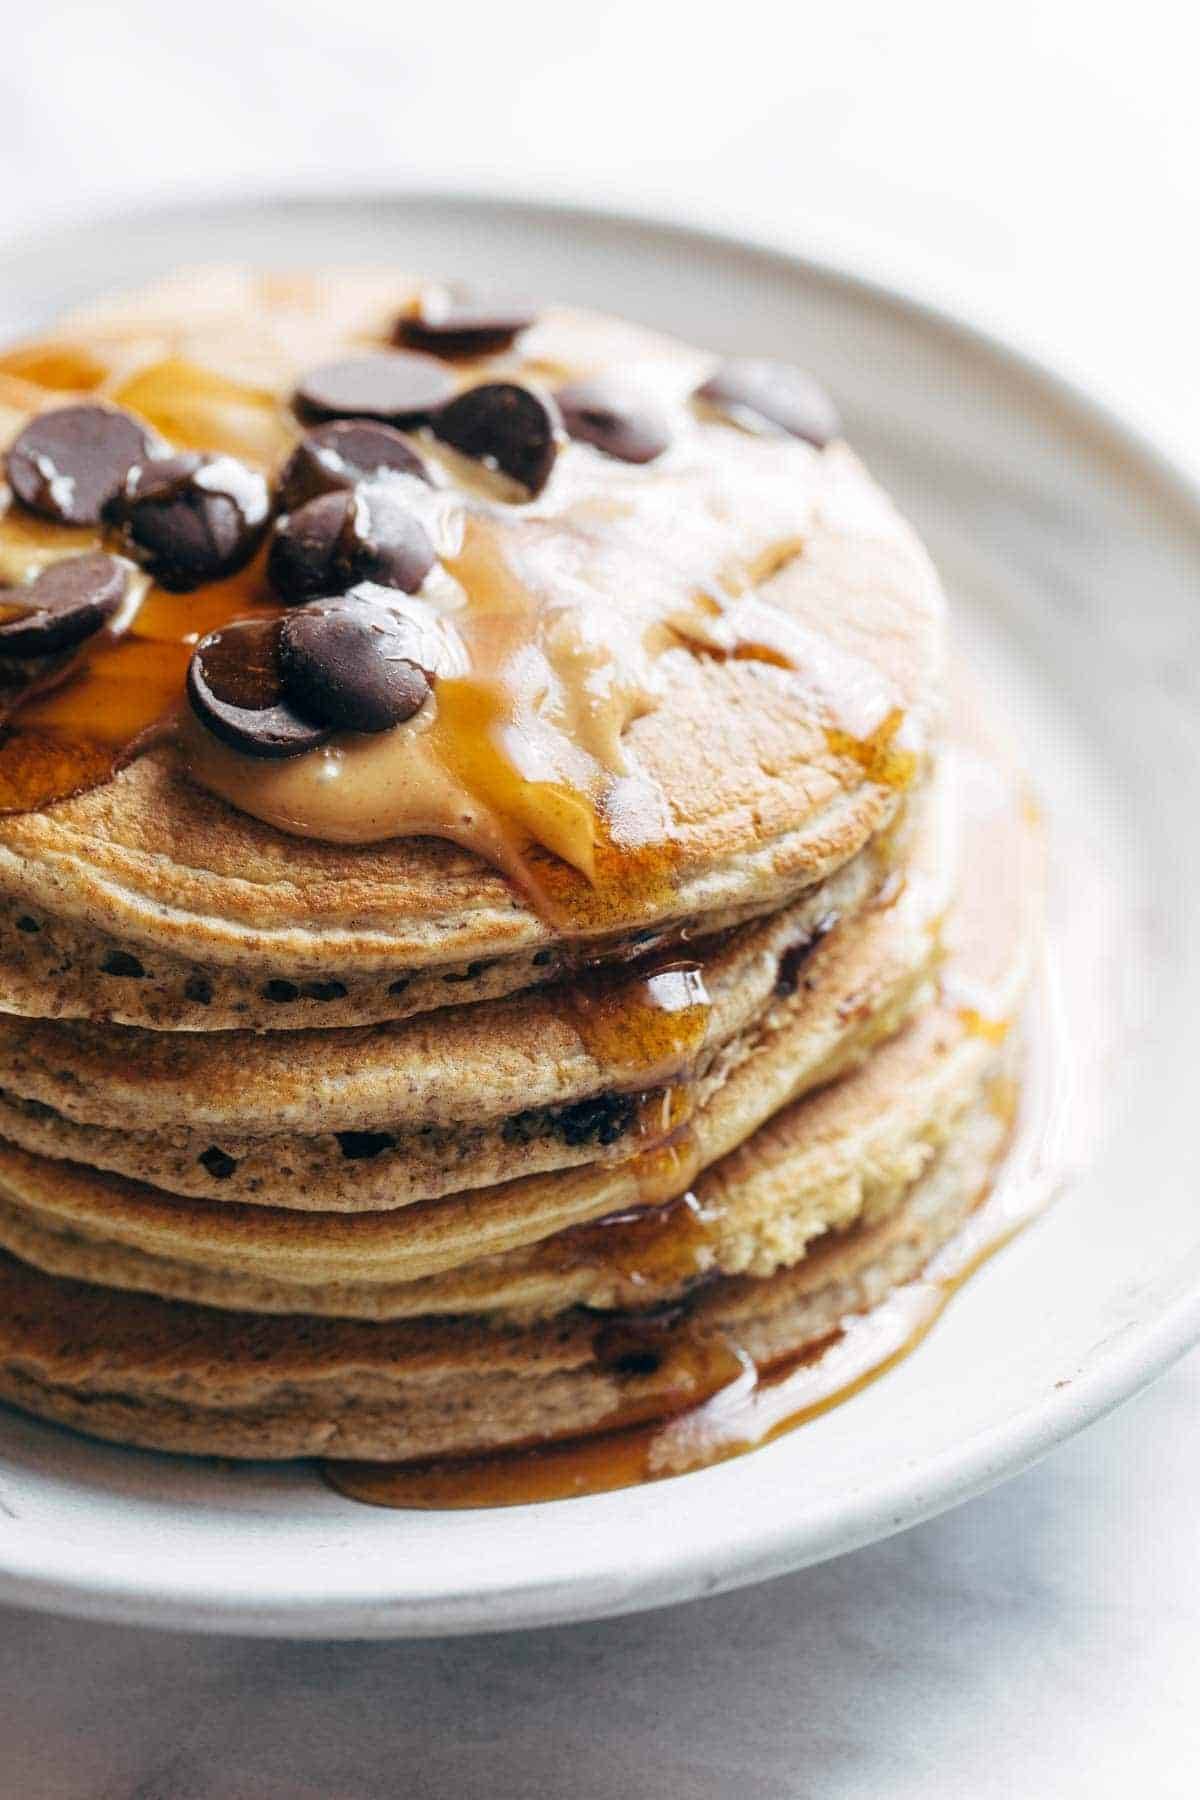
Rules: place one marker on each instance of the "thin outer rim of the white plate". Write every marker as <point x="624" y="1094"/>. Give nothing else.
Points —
<point x="1125" y="1363"/>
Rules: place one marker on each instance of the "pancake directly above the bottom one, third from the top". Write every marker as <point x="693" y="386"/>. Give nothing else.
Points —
<point x="503" y="1250"/>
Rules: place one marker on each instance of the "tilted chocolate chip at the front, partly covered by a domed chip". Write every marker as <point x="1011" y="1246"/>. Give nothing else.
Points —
<point x="235" y="687"/>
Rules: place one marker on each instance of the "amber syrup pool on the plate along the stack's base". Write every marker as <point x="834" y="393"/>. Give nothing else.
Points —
<point x="704" y="1398"/>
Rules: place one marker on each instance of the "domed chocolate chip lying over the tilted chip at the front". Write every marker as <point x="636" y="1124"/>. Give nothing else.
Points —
<point x="350" y="665"/>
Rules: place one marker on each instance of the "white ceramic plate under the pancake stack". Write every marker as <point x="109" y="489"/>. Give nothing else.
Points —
<point x="1073" y="555"/>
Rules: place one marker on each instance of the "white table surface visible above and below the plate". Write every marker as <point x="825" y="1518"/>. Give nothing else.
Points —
<point x="1034" y="165"/>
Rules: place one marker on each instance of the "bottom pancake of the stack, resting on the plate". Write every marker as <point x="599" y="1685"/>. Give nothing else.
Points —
<point x="168" y="1376"/>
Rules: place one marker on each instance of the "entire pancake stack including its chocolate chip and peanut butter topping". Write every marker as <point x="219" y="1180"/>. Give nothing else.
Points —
<point x="512" y="962"/>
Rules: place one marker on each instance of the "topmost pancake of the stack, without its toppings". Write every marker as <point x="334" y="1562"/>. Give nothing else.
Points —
<point x="233" y="922"/>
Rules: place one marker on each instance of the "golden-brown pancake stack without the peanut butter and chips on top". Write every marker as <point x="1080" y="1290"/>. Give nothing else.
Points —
<point x="359" y="1151"/>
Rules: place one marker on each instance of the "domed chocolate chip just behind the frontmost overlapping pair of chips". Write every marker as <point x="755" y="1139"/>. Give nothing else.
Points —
<point x="341" y="539"/>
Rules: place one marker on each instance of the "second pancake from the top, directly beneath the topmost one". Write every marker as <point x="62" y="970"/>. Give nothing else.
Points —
<point x="487" y="1093"/>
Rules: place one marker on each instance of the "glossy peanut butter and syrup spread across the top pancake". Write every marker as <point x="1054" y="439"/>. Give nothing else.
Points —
<point x="551" y="625"/>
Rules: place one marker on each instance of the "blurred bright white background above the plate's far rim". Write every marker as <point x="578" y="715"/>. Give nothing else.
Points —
<point x="1035" y="161"/>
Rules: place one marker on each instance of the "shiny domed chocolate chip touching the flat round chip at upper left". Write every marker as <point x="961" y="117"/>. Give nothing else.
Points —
<point x="192" y="519"/>
